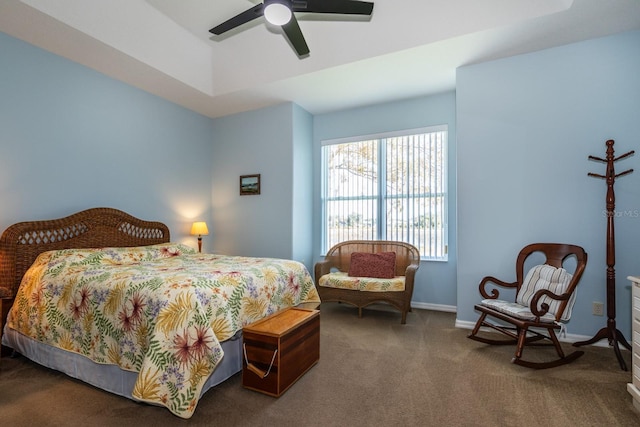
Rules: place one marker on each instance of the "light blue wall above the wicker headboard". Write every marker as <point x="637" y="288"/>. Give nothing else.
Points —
<point x="71" y="139"/>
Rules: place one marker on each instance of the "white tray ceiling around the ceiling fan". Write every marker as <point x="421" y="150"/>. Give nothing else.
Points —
<point x="407" y="48"/>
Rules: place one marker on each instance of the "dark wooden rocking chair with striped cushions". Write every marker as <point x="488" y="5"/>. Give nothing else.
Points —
<point x="544" y="300"/>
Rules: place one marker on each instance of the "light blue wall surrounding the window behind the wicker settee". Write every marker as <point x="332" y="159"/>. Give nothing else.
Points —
<point x="435" y="281"/>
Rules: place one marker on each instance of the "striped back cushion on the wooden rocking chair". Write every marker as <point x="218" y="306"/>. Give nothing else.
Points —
<point x="547" y="277"/>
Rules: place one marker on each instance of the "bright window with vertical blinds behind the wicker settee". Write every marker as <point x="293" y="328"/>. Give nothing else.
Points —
<point x="388" y="187"/>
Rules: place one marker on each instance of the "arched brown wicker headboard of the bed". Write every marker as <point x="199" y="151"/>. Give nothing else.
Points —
<point x="21" y="243"/>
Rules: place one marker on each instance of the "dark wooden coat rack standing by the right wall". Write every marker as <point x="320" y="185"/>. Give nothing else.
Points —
<point x="610" y="331"/>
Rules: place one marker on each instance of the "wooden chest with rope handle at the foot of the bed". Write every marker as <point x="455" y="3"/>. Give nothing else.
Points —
<point x="279" y="349"/>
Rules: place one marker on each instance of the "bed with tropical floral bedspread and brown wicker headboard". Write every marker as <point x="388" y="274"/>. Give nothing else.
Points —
<point x="107" y="298"/>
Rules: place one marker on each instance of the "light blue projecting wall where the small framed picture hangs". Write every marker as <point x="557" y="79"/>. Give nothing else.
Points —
<point x="275" y="143"/>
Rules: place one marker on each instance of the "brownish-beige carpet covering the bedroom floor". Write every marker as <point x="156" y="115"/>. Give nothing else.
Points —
<point x="372" y="371"/>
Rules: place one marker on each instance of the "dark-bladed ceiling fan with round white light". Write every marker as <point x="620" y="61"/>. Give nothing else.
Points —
<point x="281" y="13"/>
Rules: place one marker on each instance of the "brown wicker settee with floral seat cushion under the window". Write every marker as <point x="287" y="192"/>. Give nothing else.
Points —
<point x="339" y="286"/>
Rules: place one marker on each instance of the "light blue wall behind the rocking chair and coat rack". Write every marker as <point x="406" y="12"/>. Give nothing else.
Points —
<point x="526" y="126"/>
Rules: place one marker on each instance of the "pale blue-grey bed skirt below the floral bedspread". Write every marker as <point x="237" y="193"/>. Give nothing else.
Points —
<point x="110" y="377"/>
